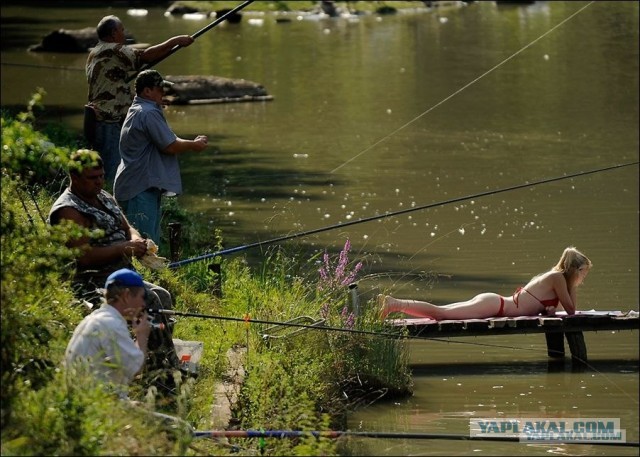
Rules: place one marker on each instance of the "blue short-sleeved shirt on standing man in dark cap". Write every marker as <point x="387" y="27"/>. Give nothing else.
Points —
<point x="145" y="133"/>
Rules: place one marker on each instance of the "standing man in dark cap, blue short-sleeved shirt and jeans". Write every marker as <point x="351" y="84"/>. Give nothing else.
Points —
<point x="149" y="165"/>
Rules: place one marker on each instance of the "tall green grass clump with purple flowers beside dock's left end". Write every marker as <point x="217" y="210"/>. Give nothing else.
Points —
<point x="314" y="368"/>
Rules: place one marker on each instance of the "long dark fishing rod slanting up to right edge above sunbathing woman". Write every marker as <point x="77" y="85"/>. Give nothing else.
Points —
<point x="391" y="214"/>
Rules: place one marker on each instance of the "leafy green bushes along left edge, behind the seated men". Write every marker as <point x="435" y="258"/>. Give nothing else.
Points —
<point x="43" y="413"/>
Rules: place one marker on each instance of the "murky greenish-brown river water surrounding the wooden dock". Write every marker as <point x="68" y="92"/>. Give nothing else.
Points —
<point x="421" y="109"/>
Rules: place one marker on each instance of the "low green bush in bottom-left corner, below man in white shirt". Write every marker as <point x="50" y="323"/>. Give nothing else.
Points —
<point x="73" y="416"/>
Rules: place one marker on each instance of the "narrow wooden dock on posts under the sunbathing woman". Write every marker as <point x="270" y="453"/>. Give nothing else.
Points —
<point x="555" y="328"/>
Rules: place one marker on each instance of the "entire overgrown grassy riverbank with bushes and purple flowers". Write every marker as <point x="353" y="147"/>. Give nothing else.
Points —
<point x="296" y="379"/>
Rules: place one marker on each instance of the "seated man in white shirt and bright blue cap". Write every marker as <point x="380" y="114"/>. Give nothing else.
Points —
<point x="102" y="342"/>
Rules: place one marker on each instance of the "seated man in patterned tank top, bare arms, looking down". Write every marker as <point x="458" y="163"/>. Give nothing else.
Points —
<point x="85" y="203"/>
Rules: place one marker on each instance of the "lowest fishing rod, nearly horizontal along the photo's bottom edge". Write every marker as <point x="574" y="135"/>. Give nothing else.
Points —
<point x="386" y="435"/>
